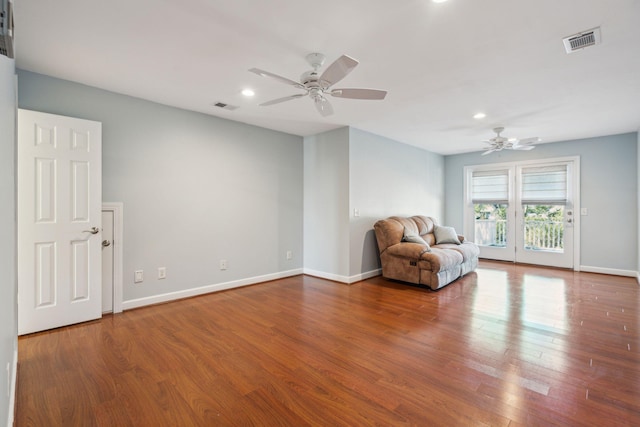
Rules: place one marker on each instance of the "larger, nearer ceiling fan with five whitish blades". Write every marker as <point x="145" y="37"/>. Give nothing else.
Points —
<point x="317" y="86"/>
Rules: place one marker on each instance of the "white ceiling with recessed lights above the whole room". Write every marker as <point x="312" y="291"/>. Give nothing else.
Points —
<point x="440" y="62"/>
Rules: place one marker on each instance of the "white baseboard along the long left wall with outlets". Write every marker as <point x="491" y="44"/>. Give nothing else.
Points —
<point x="187" y="293"/>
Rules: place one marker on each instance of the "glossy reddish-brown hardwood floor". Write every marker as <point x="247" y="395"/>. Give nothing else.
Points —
<point x="508" y="345"/>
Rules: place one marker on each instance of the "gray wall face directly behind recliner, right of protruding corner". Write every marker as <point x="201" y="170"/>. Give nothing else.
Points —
<point x="388" y="178"/>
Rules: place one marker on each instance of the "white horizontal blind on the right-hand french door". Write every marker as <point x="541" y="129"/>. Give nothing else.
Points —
<point x="544" y="185"/>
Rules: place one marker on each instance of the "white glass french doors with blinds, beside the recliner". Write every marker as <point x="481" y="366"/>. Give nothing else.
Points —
<point x="524" y="212"/>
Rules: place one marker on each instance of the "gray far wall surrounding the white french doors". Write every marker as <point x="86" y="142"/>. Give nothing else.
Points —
<point x="608" y="189"/>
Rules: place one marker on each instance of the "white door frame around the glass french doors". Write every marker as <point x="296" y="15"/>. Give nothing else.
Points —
<point x="575" y="184"/>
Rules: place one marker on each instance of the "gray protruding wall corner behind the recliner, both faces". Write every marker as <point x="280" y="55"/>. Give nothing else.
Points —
<point x="348" y="169"/>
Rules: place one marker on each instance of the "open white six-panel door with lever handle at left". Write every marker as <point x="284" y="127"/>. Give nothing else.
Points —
<point x="59" y="221"/>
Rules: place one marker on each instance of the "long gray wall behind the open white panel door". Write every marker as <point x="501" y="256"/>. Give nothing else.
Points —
<point x="196" y="189"/>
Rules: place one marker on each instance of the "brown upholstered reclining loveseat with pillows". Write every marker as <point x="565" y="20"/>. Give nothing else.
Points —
<point x="430" y="264"/>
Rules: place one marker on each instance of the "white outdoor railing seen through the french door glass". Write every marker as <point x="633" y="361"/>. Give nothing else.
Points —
<point x="538" y="234"/>
